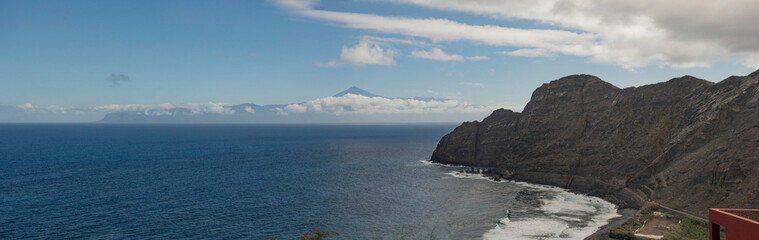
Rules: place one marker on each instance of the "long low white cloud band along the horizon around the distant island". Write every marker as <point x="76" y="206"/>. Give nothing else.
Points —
<point x="336" y="106"/>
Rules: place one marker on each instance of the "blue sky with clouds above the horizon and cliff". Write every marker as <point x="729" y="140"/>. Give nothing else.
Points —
<point x="86" y="55"/>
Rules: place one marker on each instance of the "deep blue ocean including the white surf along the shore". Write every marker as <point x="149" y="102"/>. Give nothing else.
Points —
<point x="265" y="181"/>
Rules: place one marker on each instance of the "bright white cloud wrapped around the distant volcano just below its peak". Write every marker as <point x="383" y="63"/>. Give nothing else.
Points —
<point x="358" y="104"/>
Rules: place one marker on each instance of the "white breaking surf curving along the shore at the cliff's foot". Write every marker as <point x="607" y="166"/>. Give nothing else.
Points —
<point x="544" y="212"/>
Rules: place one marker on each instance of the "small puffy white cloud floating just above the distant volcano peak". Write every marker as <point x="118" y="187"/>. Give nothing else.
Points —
<point x="364" y="53"/>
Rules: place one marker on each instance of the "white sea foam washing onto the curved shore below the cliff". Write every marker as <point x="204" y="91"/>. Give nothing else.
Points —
<point x="560" y="208"/>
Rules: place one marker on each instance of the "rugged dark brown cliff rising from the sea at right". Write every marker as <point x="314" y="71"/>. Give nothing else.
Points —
<point x="685" y="143"/>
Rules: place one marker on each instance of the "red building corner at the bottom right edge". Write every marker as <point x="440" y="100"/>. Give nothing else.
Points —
<point x="739" y="224"/>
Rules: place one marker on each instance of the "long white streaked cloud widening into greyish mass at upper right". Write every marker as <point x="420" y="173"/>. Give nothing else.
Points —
<point x="630" y="34"/>
